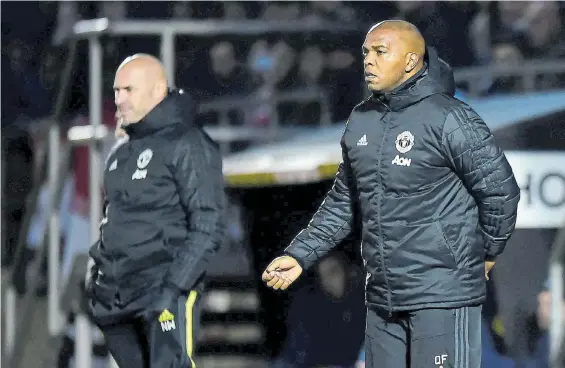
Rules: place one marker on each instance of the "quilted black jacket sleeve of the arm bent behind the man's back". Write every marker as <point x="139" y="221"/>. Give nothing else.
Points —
<point x="482" y="166"/>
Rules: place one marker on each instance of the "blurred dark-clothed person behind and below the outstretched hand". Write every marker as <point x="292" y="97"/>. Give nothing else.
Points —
<point x="326" y="322"/>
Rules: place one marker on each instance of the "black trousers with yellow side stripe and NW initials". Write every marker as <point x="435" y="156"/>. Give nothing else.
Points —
<point x="165" y="340"/>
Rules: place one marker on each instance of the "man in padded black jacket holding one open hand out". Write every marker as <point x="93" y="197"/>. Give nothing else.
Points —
<point x="436" y="200"/>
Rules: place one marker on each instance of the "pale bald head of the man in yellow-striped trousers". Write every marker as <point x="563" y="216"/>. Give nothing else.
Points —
<point x="140" y="85"/>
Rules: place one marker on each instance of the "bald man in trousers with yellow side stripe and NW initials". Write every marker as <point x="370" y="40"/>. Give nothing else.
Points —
<point x="163" y="220"/>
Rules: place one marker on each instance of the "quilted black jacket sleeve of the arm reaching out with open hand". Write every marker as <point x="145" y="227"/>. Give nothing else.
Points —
<point x="331" y="224"/>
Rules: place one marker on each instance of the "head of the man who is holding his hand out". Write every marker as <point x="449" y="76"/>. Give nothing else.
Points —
<point x="394" y="51"/>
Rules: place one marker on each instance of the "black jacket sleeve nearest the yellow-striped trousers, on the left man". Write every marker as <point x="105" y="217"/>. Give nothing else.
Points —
<point x="198" y="174"/>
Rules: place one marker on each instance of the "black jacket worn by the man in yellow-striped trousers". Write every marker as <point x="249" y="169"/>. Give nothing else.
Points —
<point x="164" y="208"/>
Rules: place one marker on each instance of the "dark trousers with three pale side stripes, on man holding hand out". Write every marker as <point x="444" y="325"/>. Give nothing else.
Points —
<point x="439" y="338"/>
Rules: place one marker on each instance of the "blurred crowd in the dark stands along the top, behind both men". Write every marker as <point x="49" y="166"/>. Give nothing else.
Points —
<point x="465" y="33"/>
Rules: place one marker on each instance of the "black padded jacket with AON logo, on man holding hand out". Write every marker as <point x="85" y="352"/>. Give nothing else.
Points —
<point x="435" y="194"/>
